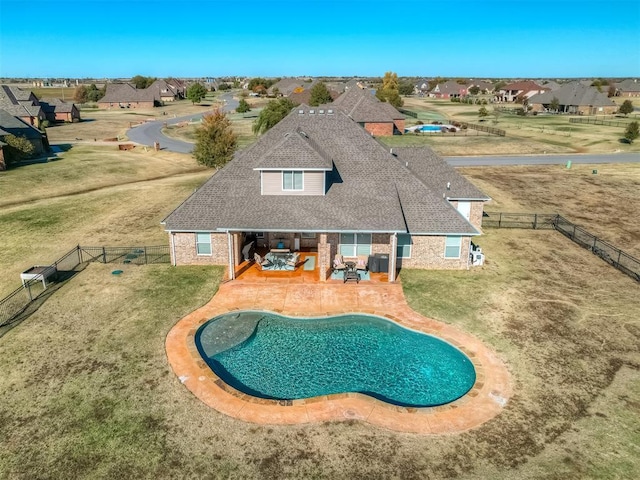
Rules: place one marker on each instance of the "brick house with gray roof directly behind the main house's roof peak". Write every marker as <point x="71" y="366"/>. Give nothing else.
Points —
<point x="377" y="118"/>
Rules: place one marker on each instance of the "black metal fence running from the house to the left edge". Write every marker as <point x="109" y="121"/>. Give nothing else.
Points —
<point x="25" y="299"/>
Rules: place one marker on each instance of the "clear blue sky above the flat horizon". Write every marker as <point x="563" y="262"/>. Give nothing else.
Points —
<point x="185" y="38"/>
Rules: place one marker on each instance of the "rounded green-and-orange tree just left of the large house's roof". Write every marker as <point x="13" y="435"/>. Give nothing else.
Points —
<point x="215" y="140"/>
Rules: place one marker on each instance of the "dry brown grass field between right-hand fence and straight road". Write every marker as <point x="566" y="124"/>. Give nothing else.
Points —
<point x="606" y="203"/>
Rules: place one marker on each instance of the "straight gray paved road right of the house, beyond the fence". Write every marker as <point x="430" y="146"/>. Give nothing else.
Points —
<point x="543" y="159"/>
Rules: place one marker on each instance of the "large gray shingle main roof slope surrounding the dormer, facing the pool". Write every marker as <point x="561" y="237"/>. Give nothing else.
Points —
<point x="369" y="189"/>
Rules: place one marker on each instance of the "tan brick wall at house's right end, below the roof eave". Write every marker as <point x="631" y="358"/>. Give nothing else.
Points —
<point x="428" y="252"/>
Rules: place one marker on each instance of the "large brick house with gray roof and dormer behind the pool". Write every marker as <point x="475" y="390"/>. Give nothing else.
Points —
<point x="319" y="181"/>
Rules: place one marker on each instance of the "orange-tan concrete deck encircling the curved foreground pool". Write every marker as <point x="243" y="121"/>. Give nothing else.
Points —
<point x="483" y="402"/>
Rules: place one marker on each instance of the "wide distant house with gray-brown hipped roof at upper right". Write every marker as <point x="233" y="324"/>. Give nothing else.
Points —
<point x="574" y="98"/>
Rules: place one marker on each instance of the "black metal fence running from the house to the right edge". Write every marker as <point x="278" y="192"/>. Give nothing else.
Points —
<point x="610" y="254"/>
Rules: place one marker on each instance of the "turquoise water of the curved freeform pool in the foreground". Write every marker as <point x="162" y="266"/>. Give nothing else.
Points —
<point x="272" y="356"/>
